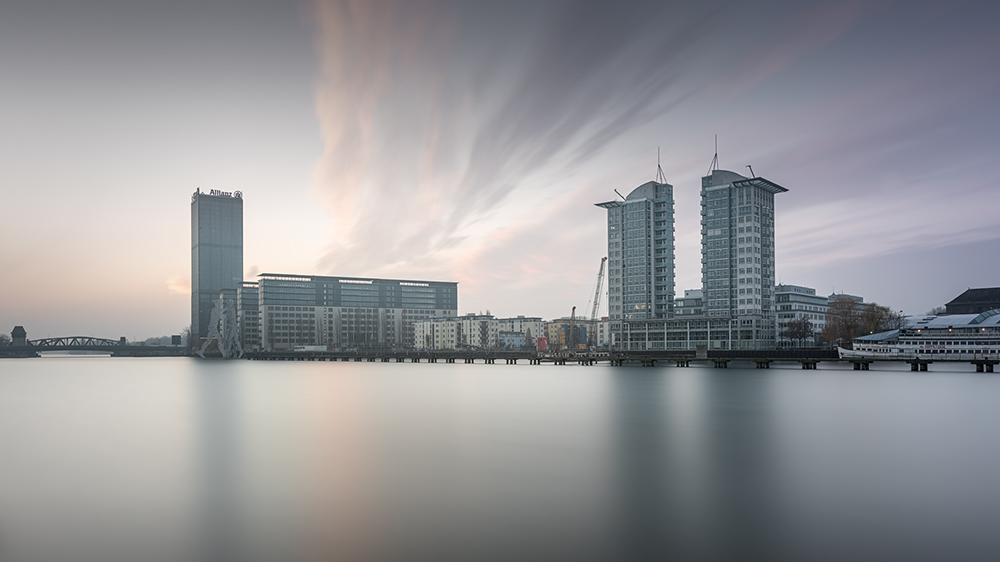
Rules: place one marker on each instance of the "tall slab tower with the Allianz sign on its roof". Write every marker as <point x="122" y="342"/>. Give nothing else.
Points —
<point x="216" y="254"/>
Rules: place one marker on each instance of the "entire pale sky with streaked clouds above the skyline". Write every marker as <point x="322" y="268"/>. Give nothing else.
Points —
<point x="469" y="141"/>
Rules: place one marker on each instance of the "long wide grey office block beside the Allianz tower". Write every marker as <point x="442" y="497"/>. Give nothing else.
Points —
<point x="348" y="312"/>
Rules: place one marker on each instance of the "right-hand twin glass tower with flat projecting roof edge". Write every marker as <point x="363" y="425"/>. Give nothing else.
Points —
<point x="737" y="255"/>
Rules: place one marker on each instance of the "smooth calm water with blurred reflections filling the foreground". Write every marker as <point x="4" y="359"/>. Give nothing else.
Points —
<point x="178" y="459"/>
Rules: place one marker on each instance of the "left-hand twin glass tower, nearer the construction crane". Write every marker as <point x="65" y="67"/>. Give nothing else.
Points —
<point x="640" y="255"/>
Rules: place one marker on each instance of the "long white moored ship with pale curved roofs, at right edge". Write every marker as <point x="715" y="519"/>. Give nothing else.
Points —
<point x="960" y="337"/>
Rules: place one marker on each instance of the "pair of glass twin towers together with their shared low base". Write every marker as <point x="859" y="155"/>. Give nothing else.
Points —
<point x="737" y="267"/>
